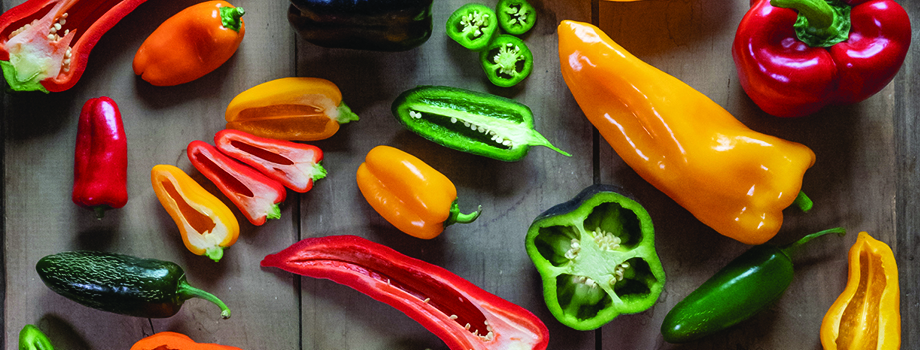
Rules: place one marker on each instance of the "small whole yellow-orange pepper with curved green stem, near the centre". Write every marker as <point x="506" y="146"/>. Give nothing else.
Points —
<point x="410" y="194"/>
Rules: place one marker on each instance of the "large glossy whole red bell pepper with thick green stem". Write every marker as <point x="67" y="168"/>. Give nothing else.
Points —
<point x="796" y="56"/>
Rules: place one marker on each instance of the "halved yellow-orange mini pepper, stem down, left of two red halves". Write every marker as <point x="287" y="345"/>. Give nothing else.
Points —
<point x="206" y="224"/>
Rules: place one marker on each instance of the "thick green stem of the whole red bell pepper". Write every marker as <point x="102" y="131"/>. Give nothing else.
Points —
<point x="821" y="23"/>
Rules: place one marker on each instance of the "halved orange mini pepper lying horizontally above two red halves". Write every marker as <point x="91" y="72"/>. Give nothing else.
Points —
<point x="294" y="108"/>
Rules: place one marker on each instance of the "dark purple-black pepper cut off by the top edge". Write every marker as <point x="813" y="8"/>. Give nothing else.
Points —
<point x="376" y="25"/>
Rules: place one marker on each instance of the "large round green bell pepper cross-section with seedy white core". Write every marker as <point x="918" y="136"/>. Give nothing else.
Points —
<point x="596" y="256"/>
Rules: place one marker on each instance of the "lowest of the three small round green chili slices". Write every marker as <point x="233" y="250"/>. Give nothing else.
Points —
<point x="506" y="61"/>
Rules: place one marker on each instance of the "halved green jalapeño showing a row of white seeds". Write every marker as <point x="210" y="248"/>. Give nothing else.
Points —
<point x="470" y="121"/>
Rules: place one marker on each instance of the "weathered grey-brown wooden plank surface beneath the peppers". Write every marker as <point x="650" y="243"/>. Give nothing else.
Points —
<point x="865" y="179"/>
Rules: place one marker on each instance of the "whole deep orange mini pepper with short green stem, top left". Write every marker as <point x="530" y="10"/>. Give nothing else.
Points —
<point x="190" y="44"/>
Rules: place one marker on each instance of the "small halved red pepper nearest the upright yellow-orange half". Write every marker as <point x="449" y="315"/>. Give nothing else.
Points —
<point x="255" y="194"/>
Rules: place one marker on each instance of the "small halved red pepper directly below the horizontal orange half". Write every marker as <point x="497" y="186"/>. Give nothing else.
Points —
<point x="295" y="165"/>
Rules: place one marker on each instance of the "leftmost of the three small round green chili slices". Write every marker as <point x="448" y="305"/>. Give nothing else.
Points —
<point x="473" y="26"/>
